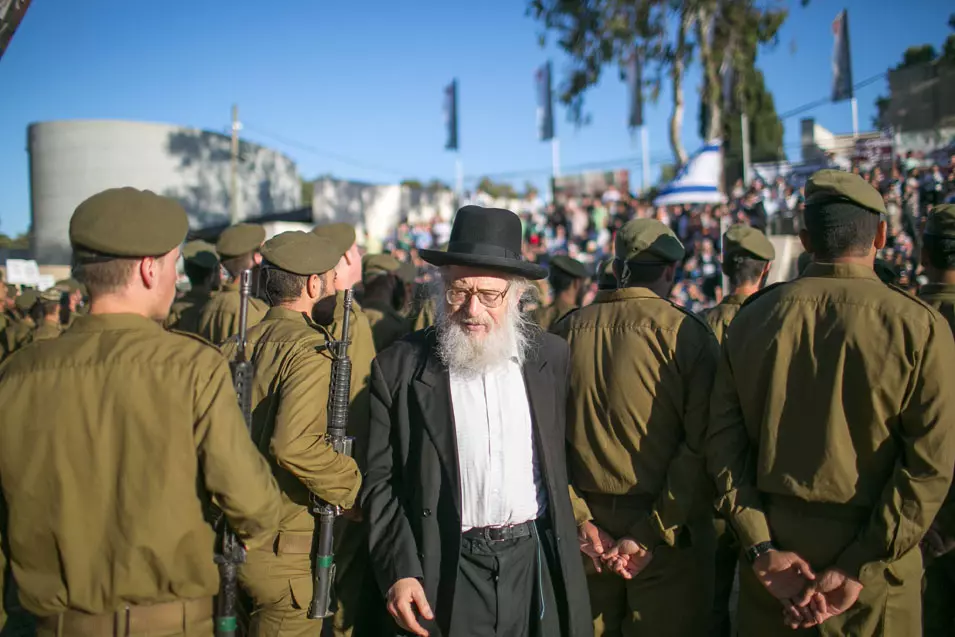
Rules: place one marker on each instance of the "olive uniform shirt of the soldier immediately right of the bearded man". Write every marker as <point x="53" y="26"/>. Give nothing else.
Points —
<point x="638" y="406"/>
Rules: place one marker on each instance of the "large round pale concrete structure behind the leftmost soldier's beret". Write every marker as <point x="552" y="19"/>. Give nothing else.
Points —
<point x="71" y="160"/>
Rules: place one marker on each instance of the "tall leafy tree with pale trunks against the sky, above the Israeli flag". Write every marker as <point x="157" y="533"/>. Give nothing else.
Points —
<point x="665" y="34"/>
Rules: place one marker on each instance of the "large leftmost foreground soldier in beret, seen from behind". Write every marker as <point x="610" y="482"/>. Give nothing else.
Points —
<point x="109" y="538"/>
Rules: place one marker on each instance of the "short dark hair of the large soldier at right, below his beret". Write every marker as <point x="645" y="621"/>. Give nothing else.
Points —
<point x="846" y="230"/>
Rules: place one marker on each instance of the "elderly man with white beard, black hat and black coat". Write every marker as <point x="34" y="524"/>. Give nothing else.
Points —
<point x="471" y="526"/>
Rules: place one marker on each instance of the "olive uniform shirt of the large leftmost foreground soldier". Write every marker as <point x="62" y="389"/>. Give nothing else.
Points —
<point x="110" y="433"/>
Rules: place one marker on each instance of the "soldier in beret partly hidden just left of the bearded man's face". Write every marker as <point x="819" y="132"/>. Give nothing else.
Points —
<point x="384" y="294"/>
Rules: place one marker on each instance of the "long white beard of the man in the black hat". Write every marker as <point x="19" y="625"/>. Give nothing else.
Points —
<point x="467" y="354"/>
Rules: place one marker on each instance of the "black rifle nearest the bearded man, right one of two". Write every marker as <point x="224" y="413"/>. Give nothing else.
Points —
<point x="325" y="513"/>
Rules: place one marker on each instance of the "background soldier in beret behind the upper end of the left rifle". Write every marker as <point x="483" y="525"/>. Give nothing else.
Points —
<point x="238" y="248"/>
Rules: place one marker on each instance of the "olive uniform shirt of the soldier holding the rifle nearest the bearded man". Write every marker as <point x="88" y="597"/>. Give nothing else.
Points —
<point x="289" y="409"/>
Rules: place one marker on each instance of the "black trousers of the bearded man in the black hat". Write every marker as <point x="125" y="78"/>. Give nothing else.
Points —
<point x="507" y="589"/>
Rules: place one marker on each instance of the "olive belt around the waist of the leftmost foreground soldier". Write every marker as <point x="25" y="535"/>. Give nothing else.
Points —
<point x="171" y="617"/>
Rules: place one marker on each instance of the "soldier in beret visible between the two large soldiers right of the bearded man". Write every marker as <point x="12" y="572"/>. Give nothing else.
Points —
<point x="747" y="257"/>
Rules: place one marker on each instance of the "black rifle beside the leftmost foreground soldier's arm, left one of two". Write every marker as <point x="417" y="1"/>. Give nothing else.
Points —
<point x="231" y="551"/>
